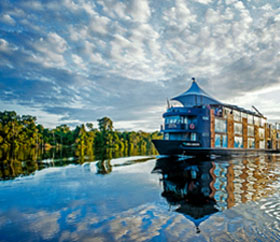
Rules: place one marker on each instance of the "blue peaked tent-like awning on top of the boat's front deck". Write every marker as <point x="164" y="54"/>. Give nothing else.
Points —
<point x="195" y="96"/>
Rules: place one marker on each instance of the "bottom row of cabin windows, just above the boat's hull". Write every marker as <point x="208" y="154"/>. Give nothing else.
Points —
<point x="221" y="141"/>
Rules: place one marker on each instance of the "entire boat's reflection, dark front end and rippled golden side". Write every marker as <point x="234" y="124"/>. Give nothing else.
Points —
<point x="198" y="188"/>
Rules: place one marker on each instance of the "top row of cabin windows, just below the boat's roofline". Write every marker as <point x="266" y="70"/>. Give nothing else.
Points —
<point x="237" y="116"/>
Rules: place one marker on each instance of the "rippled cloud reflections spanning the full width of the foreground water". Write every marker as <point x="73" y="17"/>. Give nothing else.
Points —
<point x="153" y="221"/>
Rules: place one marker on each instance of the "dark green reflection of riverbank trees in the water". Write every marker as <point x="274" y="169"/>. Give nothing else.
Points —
<point x="25" y="161"/>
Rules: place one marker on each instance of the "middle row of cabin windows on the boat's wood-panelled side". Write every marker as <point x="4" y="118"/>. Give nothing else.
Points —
<point x="221" y="127"/>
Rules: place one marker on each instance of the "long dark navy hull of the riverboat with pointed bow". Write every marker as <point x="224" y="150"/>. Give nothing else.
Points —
<point x="177" y="147"/>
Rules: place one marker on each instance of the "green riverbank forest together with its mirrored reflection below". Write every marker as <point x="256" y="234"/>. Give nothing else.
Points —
<point x="26" y="146"/>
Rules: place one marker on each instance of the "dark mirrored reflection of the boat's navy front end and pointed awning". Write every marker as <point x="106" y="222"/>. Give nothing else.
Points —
<point x="188" y="185"/>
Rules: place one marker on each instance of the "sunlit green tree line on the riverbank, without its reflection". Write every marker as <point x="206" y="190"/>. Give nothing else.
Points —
<point x="23" y="131"/>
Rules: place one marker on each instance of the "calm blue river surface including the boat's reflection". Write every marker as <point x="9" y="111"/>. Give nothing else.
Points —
<point x="143" y="198"/>
